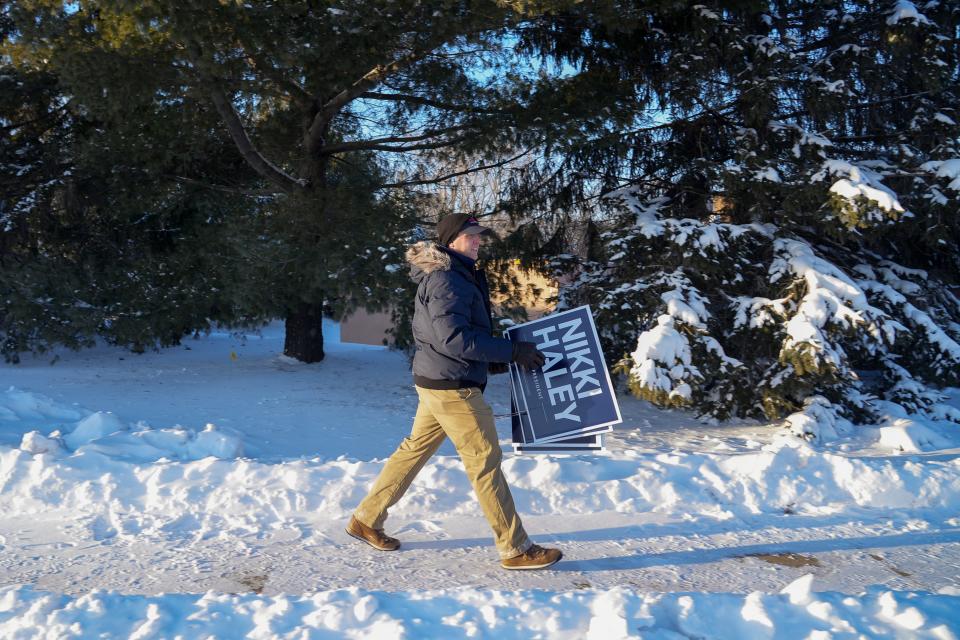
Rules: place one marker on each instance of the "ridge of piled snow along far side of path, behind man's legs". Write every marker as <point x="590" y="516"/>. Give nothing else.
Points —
<point x="214" y="497"/>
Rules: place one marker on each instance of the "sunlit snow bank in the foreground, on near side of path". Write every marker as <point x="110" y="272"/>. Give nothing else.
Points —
<point x="595" y="615"/>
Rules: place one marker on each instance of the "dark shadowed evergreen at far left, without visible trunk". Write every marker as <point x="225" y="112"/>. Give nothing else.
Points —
<point x="94" y="245"/>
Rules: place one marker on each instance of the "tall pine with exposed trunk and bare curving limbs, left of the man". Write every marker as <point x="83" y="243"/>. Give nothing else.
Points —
<point x="322" y="104"/>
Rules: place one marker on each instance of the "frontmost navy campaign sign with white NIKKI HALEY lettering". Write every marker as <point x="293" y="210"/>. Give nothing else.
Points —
<point x="571" y="394"/>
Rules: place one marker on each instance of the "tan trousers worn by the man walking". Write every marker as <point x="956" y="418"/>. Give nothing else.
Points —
<point x="464" y="416"/>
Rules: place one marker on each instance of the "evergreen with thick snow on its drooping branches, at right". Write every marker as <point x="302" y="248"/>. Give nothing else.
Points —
<point x="779" y="232"/>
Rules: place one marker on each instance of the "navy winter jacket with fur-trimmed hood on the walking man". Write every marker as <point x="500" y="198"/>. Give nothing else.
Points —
<point x="452" y="329"/>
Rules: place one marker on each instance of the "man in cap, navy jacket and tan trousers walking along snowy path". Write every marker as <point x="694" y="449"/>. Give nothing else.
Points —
<point x="454" y="350"/>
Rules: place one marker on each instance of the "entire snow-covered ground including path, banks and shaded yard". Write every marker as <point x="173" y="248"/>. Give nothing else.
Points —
<point x="204" y="490"/>
